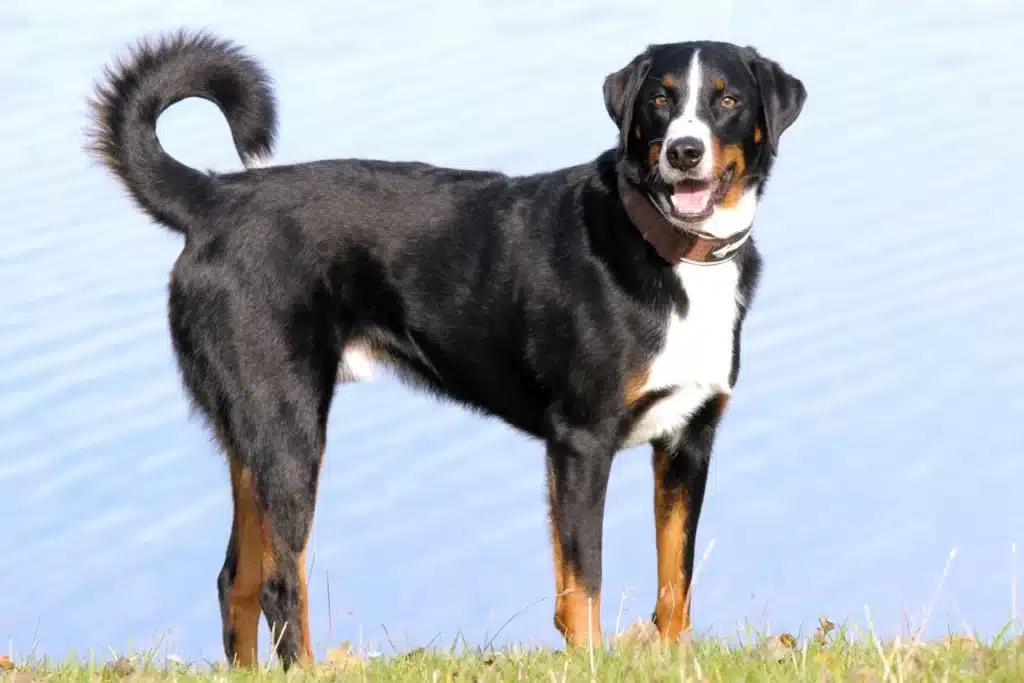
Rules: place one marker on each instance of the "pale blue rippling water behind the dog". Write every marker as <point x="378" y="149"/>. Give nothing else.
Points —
<point x="877" y="426"/>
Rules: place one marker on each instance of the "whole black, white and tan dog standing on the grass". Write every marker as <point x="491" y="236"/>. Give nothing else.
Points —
<point x="594" y="308"/>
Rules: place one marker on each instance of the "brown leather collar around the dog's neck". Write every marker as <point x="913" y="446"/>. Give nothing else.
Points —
<point x="673" y="244"/>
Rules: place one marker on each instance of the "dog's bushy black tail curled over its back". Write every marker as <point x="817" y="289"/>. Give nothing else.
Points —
<point x="152" y="77"/>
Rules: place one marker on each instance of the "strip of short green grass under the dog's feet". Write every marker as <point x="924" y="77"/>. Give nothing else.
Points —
<point x="829" y="655"/>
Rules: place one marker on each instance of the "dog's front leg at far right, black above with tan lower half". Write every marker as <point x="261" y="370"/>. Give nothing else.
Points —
<point x="680" y="479"/>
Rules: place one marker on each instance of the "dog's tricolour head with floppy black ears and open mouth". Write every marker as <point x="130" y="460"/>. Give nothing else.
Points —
<point x="700" y="124"/>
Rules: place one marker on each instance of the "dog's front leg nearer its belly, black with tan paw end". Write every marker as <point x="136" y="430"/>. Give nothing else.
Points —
<point x="579" y="464"/>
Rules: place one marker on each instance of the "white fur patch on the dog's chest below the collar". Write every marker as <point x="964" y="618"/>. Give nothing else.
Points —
<point x="697" y="357"/>
